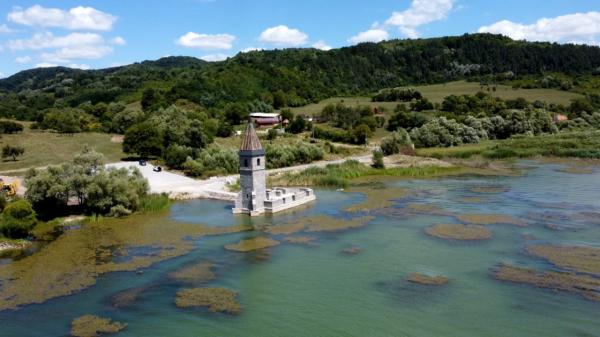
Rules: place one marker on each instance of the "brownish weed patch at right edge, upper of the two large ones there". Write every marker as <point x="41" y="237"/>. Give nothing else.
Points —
<point x="578" y="258"/>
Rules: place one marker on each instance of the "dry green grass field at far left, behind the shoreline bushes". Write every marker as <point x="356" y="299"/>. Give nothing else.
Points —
<point x="48" y="148"/>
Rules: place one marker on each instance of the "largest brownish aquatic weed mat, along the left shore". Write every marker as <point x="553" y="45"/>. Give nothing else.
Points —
<point x="77" y="258"/>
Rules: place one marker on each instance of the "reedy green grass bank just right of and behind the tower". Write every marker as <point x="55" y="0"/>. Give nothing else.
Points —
<point x="341" y="175"/>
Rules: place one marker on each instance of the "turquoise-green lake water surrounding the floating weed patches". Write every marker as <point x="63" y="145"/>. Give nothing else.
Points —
<point x="315" y="290"/>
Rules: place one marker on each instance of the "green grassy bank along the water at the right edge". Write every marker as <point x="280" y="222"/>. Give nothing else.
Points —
<point x="565" y="145"/>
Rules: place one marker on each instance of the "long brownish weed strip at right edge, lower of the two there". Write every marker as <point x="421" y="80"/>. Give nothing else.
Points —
<point x="584" y="285"/>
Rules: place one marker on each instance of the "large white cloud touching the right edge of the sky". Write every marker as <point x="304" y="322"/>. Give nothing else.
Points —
<point x="576" y="28"/>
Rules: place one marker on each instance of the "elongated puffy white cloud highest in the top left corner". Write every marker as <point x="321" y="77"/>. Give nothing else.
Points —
<point x="77" y="18"/>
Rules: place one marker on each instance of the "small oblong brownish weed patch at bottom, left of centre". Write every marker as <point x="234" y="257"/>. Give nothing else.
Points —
<point x="215" y="299"/>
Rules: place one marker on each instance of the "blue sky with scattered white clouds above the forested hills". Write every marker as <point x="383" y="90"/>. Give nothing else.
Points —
<point x="104" y="33"/>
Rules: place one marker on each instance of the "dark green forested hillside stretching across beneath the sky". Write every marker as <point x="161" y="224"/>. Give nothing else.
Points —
<point x="290" y="77"/>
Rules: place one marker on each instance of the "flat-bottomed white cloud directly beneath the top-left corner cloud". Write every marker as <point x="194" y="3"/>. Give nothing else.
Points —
<point x="48" y="40"/>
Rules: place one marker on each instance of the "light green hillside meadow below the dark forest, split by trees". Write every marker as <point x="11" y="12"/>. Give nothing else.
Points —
<point x="437" y="92"/>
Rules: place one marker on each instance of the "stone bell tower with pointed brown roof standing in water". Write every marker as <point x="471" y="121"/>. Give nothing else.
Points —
<point x="251" y="199"/>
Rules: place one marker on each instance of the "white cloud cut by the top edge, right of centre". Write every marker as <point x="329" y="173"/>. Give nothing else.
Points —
<point x="419" y="13"/>
